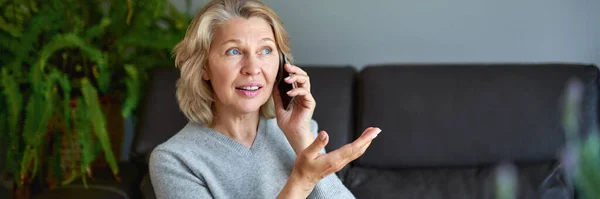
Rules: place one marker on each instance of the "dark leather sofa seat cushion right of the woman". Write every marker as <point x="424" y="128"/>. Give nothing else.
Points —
<point x="447" y="183"/>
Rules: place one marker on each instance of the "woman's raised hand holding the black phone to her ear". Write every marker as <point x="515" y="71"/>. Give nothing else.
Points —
<point x="295" y="122"/>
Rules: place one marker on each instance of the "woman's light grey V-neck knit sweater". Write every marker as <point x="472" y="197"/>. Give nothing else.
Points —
<point x="199" y="162"/>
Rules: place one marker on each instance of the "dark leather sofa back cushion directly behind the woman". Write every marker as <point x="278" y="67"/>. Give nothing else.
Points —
<point x="332" y="87"/>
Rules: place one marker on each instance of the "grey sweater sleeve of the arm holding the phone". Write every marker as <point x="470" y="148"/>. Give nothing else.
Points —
<point x="331" y="186"/>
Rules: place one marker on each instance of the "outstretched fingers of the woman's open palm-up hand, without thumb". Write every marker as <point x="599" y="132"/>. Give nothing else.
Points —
<point x="350" y="152"/>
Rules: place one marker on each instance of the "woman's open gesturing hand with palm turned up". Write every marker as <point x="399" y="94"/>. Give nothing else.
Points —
<point x="311" y="166"/>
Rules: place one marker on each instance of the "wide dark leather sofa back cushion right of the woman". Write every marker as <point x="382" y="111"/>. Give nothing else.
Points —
<point x="453" y="115"/>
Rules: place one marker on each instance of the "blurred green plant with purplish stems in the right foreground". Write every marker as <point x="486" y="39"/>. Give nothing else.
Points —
<point x="578" y="175"/>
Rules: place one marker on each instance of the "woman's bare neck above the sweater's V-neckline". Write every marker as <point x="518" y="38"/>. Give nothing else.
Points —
<point x="239" y="127"/>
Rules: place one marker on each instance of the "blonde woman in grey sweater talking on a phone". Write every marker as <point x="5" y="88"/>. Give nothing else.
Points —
<point x="240" y="141"/>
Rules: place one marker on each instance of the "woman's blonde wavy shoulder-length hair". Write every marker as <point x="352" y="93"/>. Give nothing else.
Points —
<point x="195" y="95"/>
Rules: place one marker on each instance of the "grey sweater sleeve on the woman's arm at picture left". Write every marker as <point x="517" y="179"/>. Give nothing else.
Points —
<point x="171" y="178"/>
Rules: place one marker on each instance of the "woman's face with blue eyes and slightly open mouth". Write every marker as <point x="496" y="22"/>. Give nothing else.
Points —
<point x="242" y="64"/>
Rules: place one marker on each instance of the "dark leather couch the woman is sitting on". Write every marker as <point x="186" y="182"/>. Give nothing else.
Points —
<point x="446" y="127"/>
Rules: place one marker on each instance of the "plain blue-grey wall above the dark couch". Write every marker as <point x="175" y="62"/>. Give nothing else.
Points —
<point x="408" y="31"/>
